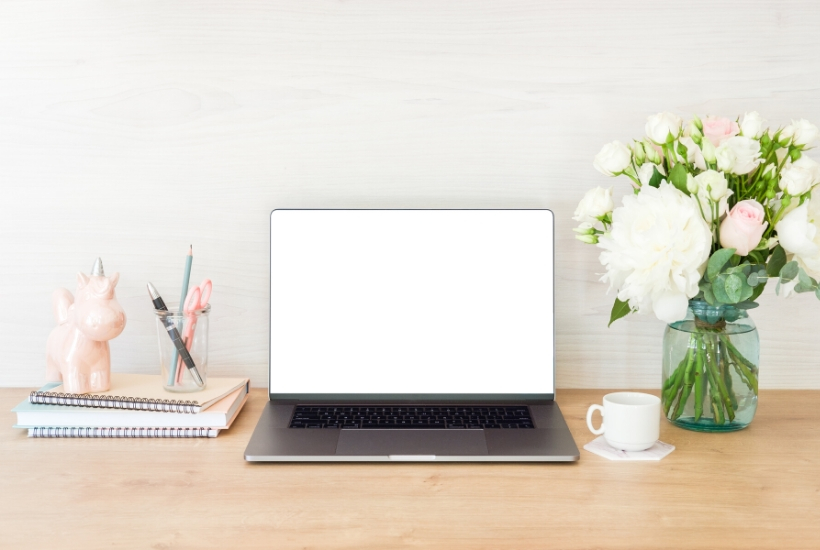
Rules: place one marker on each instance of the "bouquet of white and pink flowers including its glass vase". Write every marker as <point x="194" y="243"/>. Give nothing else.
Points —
<point x="719" y="207"/>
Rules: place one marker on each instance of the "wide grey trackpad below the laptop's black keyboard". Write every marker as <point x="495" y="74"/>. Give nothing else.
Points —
<point x="411" y="442"/>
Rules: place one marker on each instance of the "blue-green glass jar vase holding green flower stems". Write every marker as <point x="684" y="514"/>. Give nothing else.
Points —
<point x="710" y="369"/>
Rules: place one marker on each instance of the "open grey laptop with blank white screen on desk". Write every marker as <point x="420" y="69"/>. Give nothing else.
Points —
<point x="411" y="335"/>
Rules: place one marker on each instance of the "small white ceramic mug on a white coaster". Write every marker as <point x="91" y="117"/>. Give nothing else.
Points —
<point x="631" y="420"/>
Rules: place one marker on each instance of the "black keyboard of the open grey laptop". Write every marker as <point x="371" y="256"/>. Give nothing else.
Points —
<point x="412" y="417"/>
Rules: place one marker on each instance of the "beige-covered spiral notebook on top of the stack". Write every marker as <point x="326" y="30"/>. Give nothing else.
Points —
<point x="142" y="392"/>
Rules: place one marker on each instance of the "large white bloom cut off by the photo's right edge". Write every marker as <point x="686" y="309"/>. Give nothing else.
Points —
<point x="799" y="234"/>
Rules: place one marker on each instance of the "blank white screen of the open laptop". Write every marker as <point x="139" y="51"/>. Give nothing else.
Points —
<point x="406" y="303"/>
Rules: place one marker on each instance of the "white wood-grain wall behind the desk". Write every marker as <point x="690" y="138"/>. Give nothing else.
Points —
<point x="129" y="130"/>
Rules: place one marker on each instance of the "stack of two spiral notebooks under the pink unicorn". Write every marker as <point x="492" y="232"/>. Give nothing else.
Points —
<point x="135" y="406"/>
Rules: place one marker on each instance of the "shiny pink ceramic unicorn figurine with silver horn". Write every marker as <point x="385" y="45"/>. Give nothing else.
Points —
<point x="77" y="351"/>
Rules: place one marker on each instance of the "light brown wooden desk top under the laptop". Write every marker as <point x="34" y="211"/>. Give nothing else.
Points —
<point x="758" y="488"/>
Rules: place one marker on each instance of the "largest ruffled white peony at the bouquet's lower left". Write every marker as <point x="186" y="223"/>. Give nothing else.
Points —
<point x="656" y="251"/>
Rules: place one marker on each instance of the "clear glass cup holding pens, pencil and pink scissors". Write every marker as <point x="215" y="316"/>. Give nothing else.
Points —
<point x="183" y="341"/>
